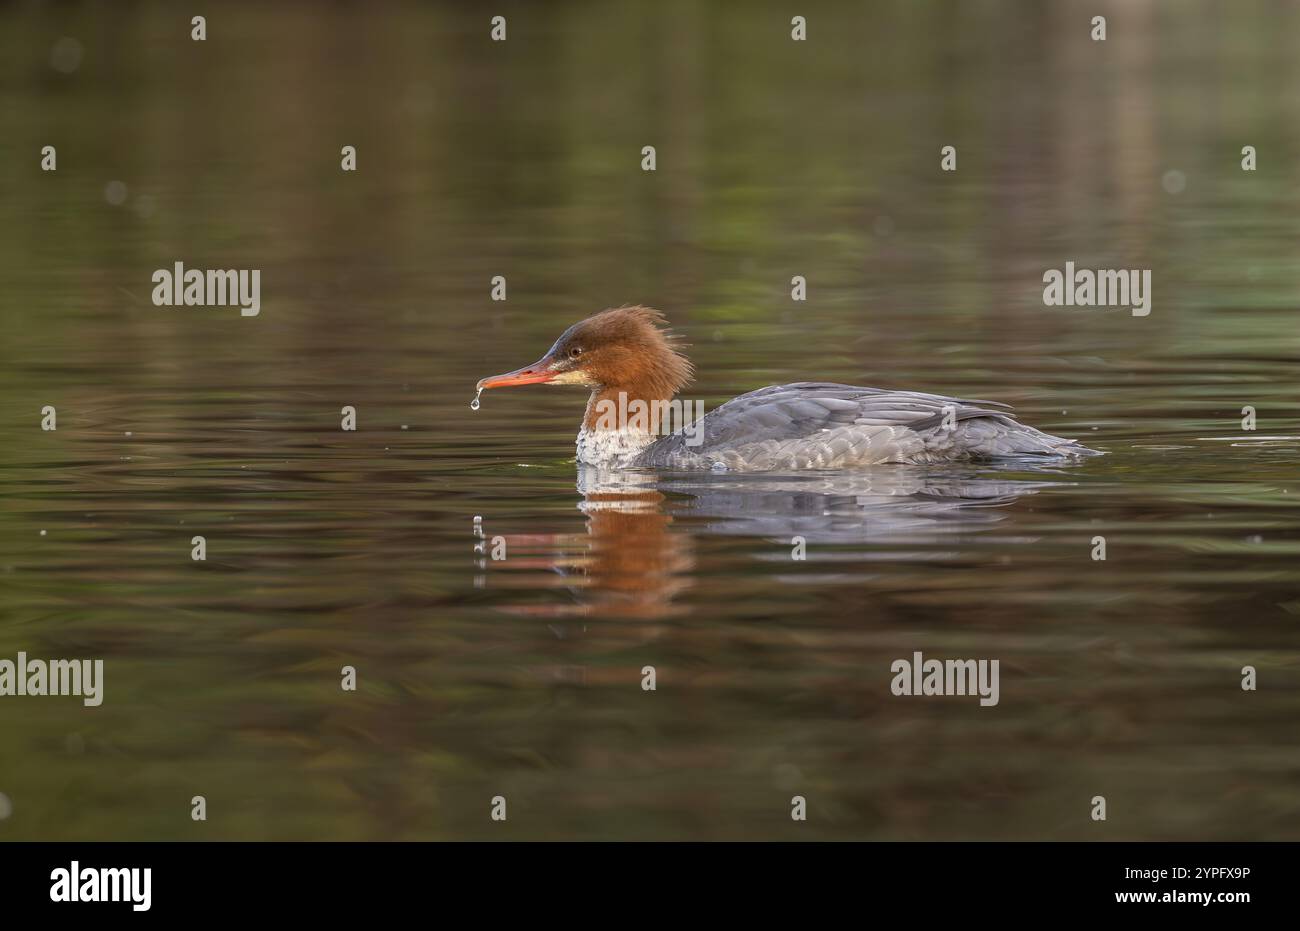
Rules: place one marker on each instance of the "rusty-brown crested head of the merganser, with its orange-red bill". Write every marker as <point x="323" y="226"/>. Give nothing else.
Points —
<point x="625" y="349"/>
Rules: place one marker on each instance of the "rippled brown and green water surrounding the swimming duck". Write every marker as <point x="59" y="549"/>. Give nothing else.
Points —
<point x="522" y="159"/>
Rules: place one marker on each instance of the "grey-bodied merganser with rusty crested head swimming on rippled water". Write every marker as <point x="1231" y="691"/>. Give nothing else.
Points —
<point x="626" y="357"/>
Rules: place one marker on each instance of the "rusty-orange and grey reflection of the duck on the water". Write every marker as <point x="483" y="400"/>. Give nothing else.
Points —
<point x="634" y="561"/>
